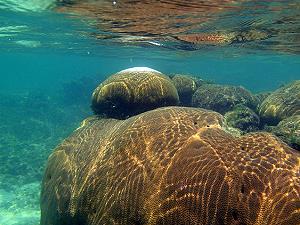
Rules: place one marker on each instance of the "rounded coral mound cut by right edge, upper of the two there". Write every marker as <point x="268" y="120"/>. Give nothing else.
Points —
<point x="282" y="103"/>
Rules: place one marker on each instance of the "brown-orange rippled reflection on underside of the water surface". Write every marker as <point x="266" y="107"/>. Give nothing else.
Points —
<point x="269" y="24"/>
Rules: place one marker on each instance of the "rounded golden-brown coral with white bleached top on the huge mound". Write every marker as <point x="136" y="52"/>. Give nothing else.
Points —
<point x="133" y="91"/>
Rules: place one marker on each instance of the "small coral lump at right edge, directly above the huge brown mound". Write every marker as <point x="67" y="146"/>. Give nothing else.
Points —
<point x="289" y="131"/>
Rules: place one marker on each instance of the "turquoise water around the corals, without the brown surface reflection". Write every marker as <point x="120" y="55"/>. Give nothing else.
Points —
<point x="51" y="61"/>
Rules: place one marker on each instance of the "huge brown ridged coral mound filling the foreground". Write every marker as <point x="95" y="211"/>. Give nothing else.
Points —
<point x="172" y="165"/>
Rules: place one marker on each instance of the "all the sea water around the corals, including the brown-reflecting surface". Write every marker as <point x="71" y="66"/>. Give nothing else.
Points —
<point x="53" y="54"/>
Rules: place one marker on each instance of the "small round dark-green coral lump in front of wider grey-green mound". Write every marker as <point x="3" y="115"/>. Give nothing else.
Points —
<point x="243" y="118"/>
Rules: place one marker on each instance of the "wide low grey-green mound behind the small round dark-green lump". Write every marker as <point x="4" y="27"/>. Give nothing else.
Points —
<point x="222" y="98"/>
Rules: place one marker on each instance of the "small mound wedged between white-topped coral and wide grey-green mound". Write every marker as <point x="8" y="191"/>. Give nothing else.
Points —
<point x="186" y="87"/>
